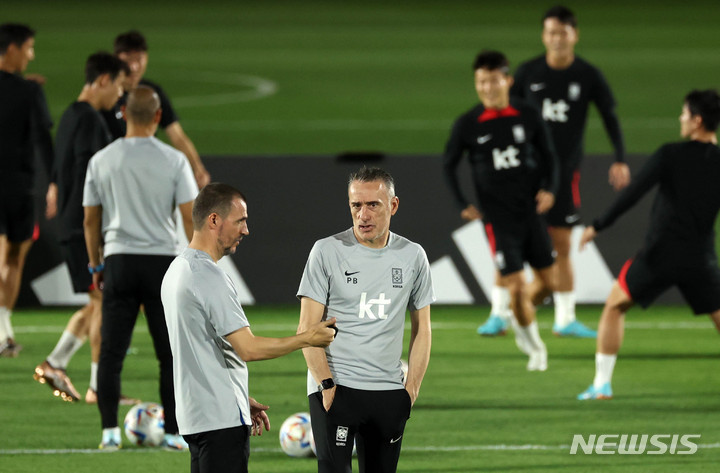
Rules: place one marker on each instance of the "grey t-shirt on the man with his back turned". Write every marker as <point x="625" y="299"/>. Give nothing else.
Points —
<point x="139" y="182"/>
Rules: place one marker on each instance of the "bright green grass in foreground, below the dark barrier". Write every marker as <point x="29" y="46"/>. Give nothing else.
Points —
<point x="476" y="396"/>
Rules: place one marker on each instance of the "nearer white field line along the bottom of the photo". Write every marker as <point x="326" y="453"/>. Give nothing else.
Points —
<point x="429" y="448"/>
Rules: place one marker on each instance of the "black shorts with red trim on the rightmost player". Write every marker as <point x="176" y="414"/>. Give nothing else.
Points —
<point x="644" y="280"/>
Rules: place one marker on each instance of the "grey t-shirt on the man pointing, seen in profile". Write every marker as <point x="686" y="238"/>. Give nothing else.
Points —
<point x="210" y="379"/>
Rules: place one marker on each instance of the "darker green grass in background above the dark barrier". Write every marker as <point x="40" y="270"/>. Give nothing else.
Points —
<point x="387" y="76"/>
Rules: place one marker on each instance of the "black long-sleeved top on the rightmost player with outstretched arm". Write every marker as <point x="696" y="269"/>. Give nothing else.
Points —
<point x="688" y="199"/>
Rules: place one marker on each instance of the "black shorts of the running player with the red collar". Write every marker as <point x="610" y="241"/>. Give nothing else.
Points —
<point x="514" y="242"/>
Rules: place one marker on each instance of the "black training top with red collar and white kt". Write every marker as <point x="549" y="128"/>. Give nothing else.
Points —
<point x="511" y="156"/>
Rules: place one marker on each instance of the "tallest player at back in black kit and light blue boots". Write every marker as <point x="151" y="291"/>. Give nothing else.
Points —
<point x="563" y="85"/>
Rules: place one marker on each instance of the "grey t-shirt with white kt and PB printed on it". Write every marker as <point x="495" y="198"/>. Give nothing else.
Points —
<point x="369" y="291"/>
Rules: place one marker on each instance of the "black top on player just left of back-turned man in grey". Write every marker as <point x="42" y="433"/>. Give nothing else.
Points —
<point x="82" y="132"/>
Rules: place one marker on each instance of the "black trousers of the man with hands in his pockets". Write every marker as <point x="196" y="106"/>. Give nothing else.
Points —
<point x="375" y="420"/>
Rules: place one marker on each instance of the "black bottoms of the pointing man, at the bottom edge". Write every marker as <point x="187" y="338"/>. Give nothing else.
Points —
<point x="224" y="450"/>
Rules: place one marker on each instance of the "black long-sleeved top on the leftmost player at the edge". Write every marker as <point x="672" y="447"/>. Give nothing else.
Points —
<point x="24" y="126"/>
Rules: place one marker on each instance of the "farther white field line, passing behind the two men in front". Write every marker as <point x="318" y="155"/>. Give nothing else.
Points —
<point x="632" y="325"/>
